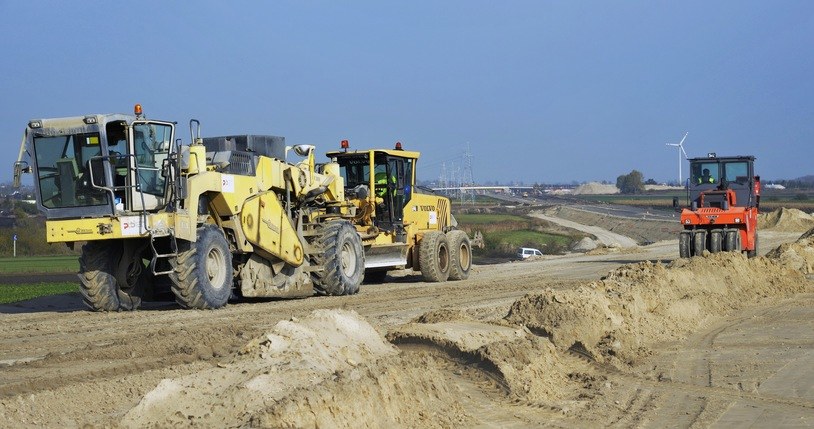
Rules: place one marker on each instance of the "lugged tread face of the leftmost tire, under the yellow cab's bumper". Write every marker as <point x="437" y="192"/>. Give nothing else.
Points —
<point x="97" y="282"/>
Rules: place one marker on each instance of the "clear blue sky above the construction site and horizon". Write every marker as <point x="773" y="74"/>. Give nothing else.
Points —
<point x="541" y="91"/>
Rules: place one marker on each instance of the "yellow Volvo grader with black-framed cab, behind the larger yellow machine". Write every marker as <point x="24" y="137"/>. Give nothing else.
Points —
<point x="401" y="225"/>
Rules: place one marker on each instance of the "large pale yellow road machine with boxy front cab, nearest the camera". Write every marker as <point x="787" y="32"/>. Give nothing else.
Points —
<point x="222" y="216"/>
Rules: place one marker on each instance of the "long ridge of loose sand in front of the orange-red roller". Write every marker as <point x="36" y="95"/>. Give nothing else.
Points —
<point x="613" y="320"/>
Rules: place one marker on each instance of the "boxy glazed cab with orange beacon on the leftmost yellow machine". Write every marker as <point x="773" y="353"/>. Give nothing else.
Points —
<point x="88" y="166"/>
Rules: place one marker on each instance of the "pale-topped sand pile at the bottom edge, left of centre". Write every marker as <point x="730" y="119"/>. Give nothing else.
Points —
<point x="331" y="369"/>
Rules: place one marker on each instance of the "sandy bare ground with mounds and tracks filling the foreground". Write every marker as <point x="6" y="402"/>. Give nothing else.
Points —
<point x="627" y="338"/>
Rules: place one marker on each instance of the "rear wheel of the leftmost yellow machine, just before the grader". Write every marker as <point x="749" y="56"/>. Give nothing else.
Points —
<point x="341" y="258"/>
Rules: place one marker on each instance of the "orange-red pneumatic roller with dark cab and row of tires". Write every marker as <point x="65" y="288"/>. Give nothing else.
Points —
<point x="723" y="199"/>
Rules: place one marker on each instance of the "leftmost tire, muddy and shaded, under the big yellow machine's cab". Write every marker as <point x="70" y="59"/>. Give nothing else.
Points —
<point x="98" y="286"/>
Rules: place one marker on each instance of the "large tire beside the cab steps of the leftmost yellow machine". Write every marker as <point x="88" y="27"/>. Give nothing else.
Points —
<point x="202" y="271"/>
